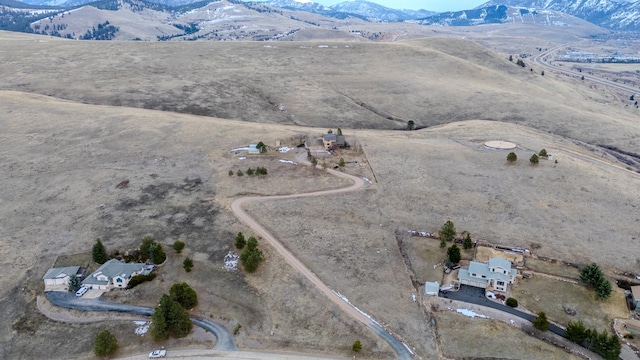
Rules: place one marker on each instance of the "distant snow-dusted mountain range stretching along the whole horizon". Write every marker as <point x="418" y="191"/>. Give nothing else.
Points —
<point x="609" y="14"/>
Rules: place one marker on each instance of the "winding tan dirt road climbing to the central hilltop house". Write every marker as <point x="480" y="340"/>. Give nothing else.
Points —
<point x="402" y="350"/>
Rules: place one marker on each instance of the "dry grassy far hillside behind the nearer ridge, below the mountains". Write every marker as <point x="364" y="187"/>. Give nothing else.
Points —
<point x="431" y="81"/>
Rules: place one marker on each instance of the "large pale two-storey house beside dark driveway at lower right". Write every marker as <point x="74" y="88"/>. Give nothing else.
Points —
<point x="495" y="275"/>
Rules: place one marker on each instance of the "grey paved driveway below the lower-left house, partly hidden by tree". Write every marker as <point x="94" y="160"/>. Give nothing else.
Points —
<point x="68" y="300"/>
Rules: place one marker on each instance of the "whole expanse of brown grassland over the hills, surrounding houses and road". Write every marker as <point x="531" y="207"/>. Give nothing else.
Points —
<point x="62" y="155"/>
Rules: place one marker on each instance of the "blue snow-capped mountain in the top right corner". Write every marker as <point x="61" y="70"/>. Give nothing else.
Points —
<point x="616" y="15"/>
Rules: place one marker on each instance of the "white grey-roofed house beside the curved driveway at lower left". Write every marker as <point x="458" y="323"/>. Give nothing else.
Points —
<point x="113" y="273"/>
